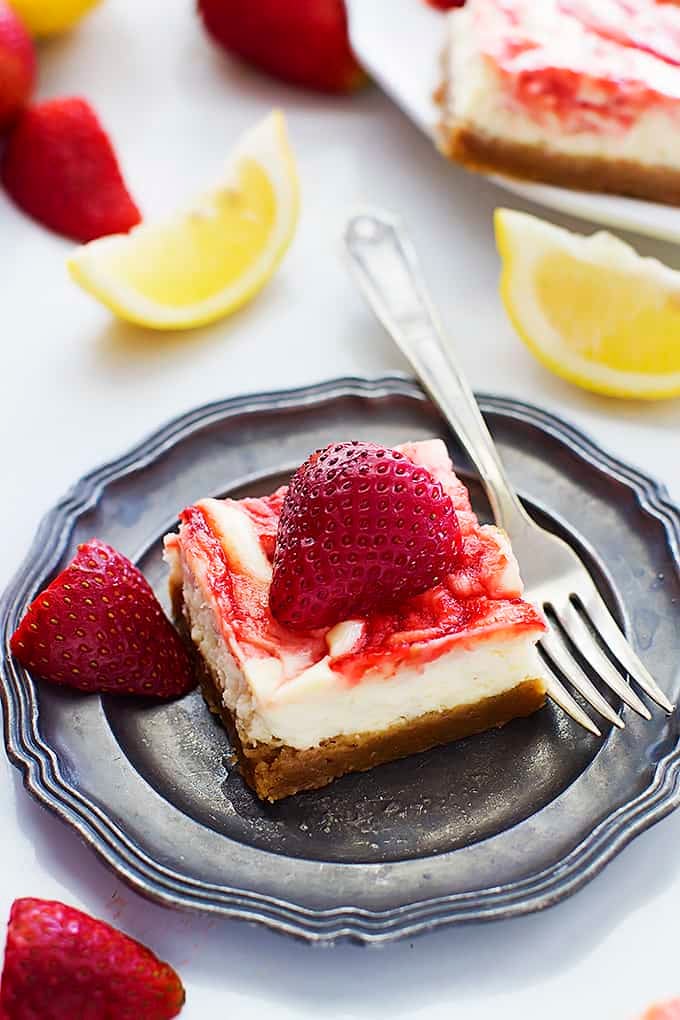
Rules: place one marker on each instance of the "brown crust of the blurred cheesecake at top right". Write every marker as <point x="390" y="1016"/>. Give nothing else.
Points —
<point x="534" y="163"/>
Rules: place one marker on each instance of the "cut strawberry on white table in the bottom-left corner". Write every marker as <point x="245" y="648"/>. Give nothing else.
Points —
<point x="62" y="964"/>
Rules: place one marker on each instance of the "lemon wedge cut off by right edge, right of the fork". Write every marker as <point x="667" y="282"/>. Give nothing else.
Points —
<point x="592" y="310"/>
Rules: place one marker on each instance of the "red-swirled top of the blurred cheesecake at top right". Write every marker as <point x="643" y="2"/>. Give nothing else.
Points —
<point x="593" y="66"/>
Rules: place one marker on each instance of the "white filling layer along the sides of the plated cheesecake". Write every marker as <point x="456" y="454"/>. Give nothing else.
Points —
<point x="321" y="703"/>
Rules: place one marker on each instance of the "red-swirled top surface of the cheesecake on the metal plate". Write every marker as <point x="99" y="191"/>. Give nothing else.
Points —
<point x="229" y="548"/>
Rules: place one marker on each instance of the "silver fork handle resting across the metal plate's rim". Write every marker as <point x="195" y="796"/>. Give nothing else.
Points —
<point x="385" y="263"/>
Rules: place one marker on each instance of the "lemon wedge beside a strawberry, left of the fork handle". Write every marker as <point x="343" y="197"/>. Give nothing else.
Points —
<point x="211" y="259"/>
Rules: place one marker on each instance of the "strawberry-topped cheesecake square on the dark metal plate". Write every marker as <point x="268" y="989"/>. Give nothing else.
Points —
<point x="359" y="616"/>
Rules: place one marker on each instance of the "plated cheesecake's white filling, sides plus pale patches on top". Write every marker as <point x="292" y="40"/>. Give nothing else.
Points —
<point x="280" y="694"/>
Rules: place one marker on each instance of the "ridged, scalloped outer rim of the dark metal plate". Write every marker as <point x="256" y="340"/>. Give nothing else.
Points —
<point x="45" y="782"/>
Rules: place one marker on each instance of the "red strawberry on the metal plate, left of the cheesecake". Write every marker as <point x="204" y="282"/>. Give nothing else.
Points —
<point x="99" y="627"/>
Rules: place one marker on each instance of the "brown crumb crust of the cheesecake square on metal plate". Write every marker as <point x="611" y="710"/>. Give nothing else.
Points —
<point x="278" y="771"/>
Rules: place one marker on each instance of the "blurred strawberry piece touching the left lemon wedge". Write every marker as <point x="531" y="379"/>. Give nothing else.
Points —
<point x="61" y="168"/>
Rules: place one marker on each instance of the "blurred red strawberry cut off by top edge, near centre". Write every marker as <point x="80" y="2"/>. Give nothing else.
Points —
<point x="305" y="42"/>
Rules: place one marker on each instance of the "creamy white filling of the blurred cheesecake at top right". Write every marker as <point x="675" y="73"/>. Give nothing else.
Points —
<point x="478" y="98"/>
